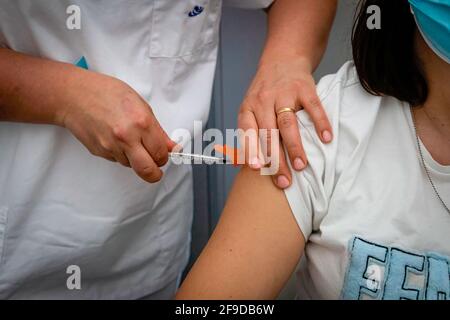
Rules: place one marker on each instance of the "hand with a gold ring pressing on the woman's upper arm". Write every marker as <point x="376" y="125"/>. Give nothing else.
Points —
<point x="285" y="83"/>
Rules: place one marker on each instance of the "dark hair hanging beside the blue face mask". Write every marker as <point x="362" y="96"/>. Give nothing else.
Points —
<point x="386" y="58"/>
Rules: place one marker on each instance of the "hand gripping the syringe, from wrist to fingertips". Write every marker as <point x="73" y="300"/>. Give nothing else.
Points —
<point x="115" y="123"/>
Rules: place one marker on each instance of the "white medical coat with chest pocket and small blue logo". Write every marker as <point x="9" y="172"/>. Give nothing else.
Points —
<point x="59" y="205"/>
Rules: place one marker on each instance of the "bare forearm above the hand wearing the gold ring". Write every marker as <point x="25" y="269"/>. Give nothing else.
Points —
<point x="299" y="29"/>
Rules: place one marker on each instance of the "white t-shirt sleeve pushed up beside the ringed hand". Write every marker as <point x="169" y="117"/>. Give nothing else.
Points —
<point x="311" y="189"/>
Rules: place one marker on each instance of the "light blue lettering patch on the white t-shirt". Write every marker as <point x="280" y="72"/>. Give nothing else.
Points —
<point x="380" y="272"/>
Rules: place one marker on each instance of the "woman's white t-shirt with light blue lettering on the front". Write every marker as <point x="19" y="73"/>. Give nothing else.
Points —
<point x="375" y="229"/>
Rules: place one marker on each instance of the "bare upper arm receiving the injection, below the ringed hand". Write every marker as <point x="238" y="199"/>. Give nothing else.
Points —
<point x="254" y="249"/>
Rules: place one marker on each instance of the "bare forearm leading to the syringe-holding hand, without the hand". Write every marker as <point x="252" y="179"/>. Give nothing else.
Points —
<point x="31" y="88"/>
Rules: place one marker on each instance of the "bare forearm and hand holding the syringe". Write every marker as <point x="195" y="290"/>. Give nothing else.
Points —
<point x="104" y="113"/>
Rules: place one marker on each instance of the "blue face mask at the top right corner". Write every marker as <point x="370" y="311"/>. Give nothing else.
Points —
<point x="433" y="20"/>
